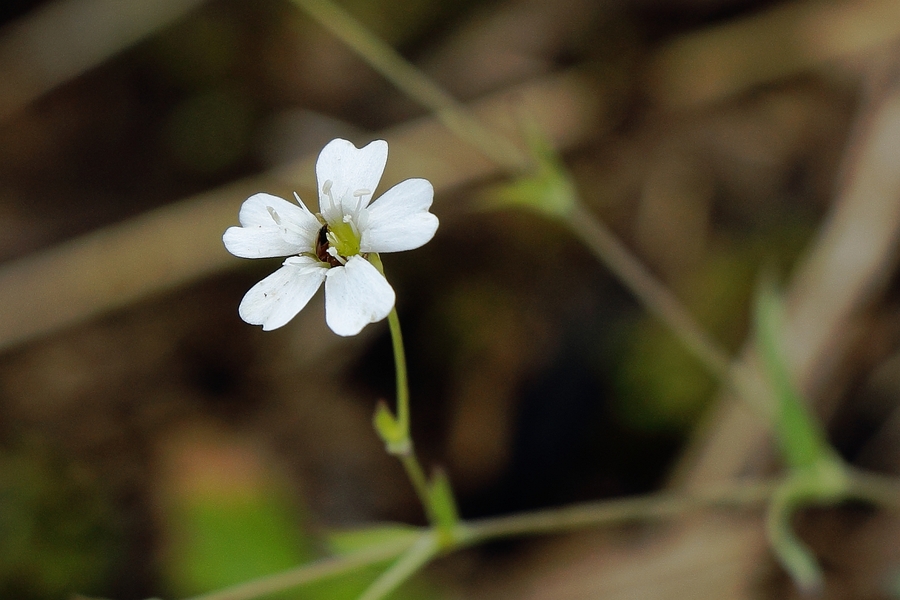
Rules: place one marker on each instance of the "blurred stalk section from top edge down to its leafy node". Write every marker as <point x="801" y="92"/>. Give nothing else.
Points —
<point x="387" y="61"/>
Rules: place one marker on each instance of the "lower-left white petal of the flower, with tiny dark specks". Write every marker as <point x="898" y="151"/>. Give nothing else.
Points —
<point x="279" y="297"/>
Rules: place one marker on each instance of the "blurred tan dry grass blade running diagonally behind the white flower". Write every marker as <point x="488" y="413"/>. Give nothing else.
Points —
<point x="118" y="265"/>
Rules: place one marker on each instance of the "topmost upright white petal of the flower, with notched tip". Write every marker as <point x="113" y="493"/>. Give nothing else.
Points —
<point x="349" y="169"/>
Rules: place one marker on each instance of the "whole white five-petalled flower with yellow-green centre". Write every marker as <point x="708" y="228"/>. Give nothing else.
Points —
<point x="332" y="246"/>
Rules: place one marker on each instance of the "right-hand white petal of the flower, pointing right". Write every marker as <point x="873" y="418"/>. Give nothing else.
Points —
<point x="399" y="220"/>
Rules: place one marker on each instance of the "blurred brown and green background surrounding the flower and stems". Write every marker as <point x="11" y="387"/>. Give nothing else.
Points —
<point x="154" y="445"/>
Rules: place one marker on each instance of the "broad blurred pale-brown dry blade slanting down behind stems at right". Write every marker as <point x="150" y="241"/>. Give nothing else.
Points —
<point x="844" y="269"/>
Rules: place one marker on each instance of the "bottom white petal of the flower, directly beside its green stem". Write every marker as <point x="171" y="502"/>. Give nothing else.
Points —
<point x="356" y="295"/>
